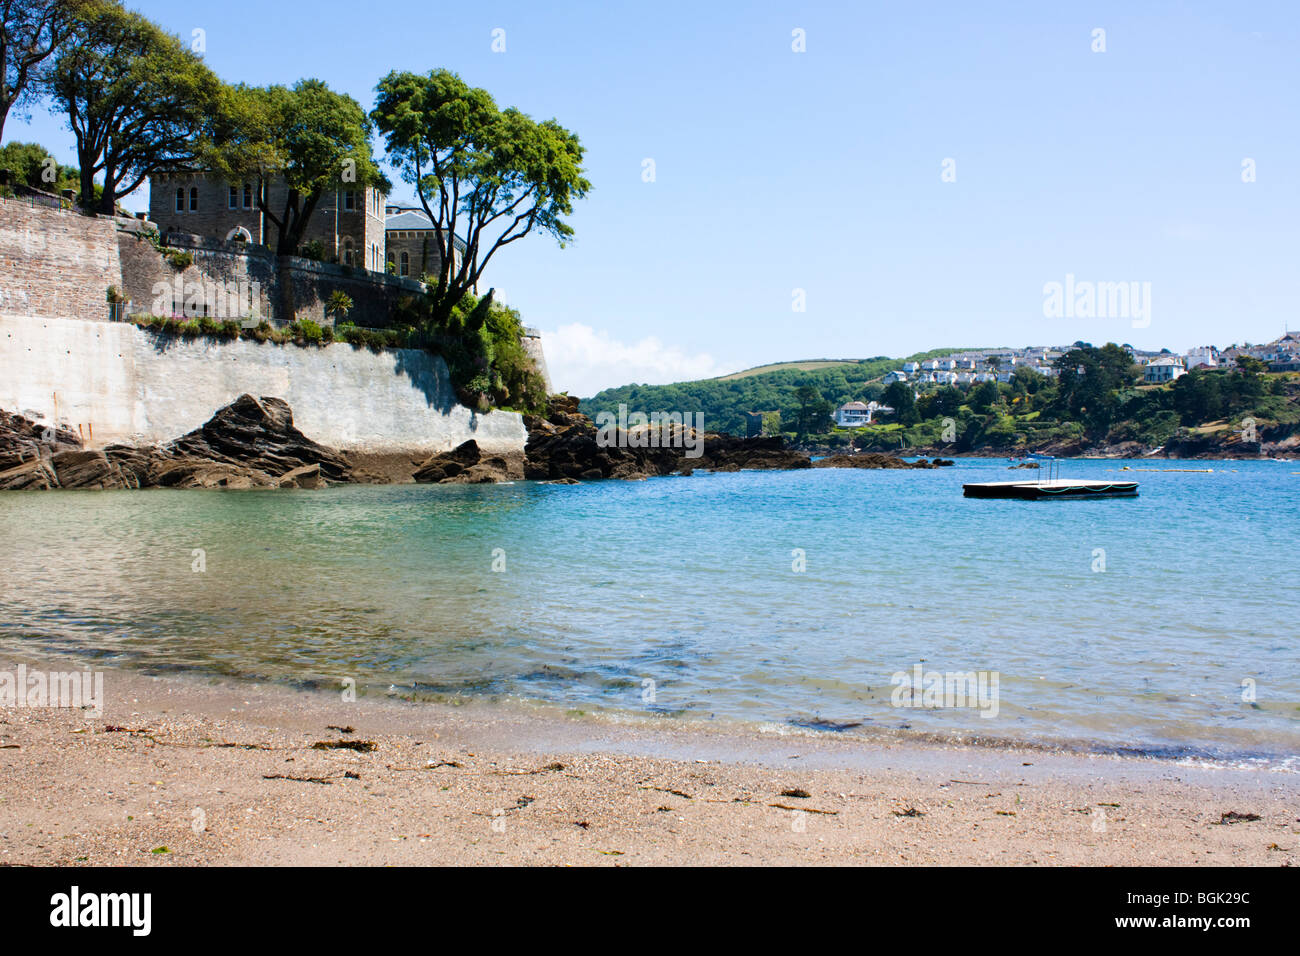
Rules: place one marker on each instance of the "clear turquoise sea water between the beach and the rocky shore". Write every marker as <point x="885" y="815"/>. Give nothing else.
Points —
<point x="690" y="583"/>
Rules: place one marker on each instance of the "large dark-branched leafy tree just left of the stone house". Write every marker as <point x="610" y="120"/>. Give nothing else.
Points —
<point x="137" y="101"/>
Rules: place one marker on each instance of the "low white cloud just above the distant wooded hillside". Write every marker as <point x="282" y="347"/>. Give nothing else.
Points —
<point x="583" y="361"/>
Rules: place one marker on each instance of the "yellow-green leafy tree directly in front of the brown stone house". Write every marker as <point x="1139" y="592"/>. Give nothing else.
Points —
<point x="311" y="139"/>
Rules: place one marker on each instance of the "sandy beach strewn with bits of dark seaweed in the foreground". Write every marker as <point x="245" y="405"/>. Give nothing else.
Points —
<point x="188" y="772"/>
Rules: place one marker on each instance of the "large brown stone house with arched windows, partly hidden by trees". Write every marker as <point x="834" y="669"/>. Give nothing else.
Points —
<point x="349" y="223"/>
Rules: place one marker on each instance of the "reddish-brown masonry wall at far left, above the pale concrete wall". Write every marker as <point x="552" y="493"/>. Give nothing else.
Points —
<point x="55" y="263"/>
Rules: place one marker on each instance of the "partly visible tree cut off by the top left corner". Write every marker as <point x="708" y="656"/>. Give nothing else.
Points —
<point x="31" y="34"/>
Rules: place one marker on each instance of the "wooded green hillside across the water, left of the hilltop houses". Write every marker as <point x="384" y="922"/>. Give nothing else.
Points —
<point x="768" y="388"/>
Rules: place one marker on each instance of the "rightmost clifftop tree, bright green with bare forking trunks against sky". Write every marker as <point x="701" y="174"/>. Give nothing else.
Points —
<point x="489" y="176"/>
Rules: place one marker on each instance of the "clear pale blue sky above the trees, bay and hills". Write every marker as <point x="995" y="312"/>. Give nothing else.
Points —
<point x="821" y="171"/>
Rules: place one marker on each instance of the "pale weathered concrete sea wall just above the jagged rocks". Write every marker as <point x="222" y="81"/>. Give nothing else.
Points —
<point x="118" y="383"/>
